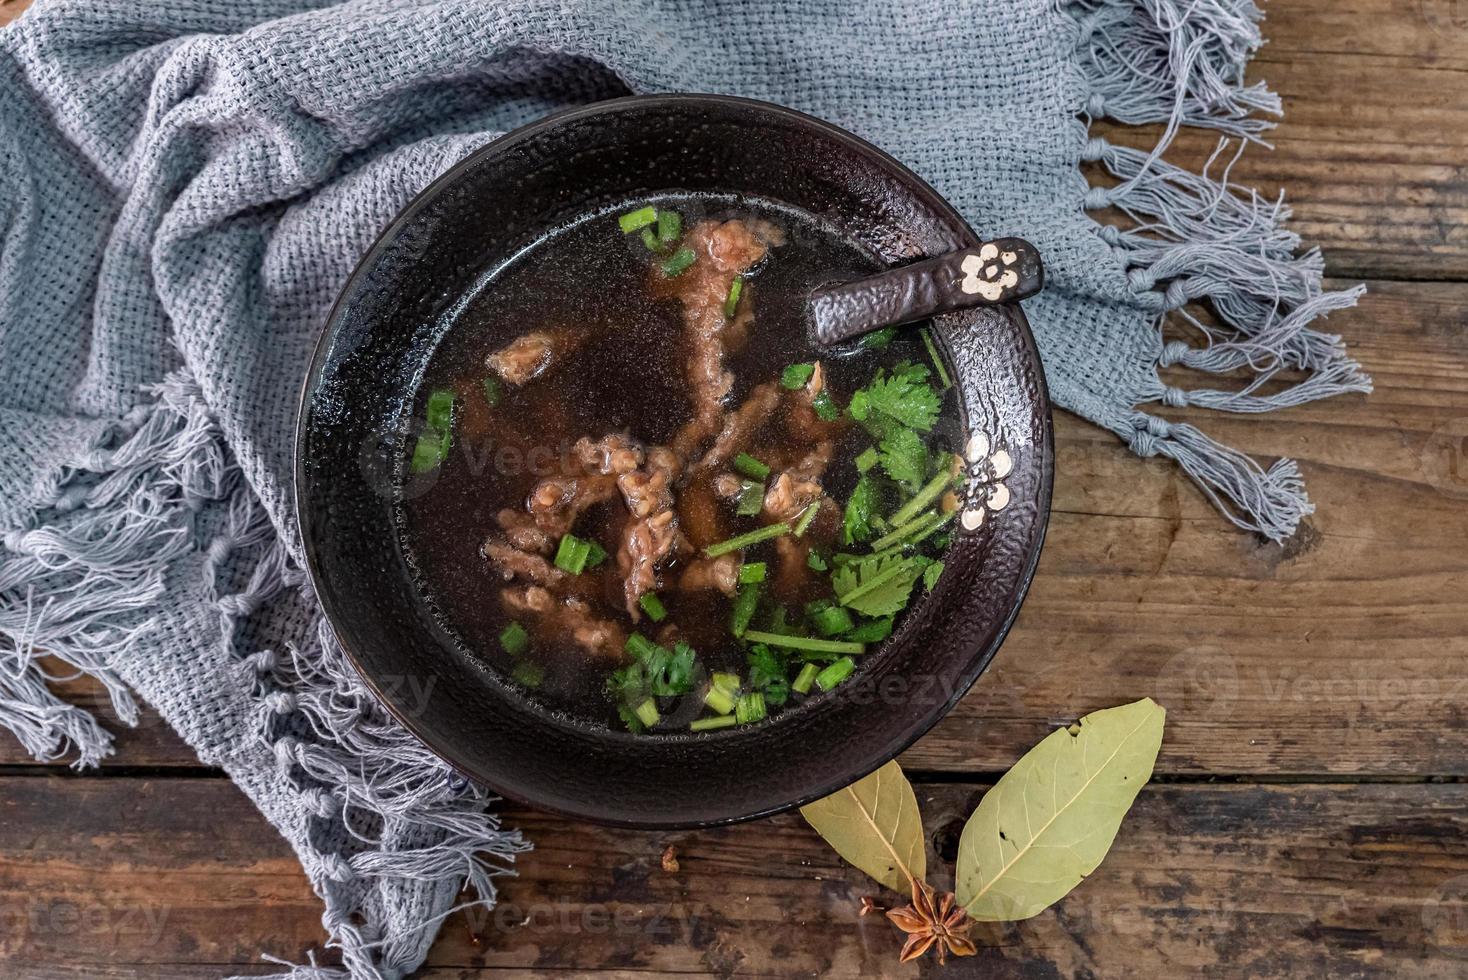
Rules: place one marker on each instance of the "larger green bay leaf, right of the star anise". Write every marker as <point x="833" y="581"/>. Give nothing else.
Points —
<point x="1049" y="821"/>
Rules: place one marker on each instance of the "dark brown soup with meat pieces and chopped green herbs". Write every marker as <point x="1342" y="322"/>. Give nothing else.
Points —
<point x="636" y="489"/>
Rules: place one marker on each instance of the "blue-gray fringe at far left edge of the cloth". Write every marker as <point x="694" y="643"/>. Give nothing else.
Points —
<point x="79" y="590"/>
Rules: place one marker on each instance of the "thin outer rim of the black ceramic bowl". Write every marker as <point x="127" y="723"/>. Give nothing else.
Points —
<point x="390" y="234"/>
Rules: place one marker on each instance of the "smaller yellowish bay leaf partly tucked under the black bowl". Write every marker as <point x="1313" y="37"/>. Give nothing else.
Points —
<point x="874" y="824"/>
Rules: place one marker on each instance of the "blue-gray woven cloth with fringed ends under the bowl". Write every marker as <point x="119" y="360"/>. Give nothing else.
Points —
<point x="186" y="186"/>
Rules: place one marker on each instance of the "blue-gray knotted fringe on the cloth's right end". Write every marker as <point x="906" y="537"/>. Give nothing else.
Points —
<point x="1200" y="238"/>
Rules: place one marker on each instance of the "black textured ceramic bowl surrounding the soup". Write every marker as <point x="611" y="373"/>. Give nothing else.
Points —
<point x="355" y="420"/>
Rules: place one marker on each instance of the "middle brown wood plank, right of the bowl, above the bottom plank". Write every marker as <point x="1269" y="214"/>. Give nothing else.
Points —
<point x="1338" y="654"/>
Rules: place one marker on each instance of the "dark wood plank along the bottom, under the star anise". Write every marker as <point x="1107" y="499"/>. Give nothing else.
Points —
<point x="177" y="878"/>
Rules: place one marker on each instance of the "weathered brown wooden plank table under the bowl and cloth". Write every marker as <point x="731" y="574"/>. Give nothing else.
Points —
<point x="1309" y="816"/>
